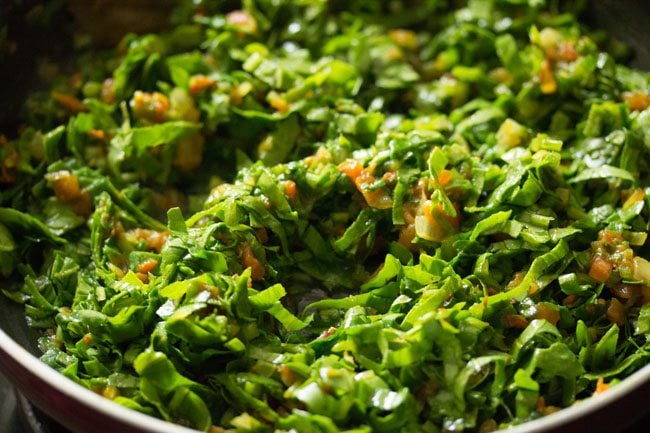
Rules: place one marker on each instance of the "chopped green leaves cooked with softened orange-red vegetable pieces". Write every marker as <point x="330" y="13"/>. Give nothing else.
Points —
<point x="339" y="216"/>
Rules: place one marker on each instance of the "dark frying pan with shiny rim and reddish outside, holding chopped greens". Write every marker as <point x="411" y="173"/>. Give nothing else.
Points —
<point x="83" y="411"/>
